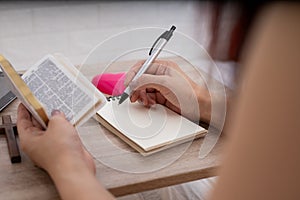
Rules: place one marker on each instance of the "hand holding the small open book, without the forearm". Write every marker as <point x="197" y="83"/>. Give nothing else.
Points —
<point x="55" y="149"/>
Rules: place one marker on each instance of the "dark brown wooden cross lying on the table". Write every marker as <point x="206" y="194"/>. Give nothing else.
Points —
<point x="9" y="129"/>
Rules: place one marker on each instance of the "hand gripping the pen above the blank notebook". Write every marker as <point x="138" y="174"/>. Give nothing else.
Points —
<point x="165" y="83"/>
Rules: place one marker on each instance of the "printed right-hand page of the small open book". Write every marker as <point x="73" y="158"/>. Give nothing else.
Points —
<point x="57" y="88"/>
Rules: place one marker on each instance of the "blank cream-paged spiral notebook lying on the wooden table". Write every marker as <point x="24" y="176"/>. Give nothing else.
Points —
<point x="147" y="130"/>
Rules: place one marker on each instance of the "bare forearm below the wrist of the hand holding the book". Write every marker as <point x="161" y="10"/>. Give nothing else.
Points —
<point x="77" y="182"/>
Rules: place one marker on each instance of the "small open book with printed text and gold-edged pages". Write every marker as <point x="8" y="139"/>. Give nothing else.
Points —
<point x="54" y="83"/>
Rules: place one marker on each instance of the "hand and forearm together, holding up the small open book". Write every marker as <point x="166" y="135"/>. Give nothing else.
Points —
<point x="60" y="152"/>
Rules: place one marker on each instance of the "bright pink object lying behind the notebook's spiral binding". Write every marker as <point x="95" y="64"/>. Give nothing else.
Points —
<point x="109" y="83"/>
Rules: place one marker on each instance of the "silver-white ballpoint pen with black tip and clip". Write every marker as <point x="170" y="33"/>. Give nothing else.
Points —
<point x="156" y="48"/>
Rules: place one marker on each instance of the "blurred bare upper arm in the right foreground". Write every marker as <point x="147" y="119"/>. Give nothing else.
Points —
<point x="263" y="153"/>
